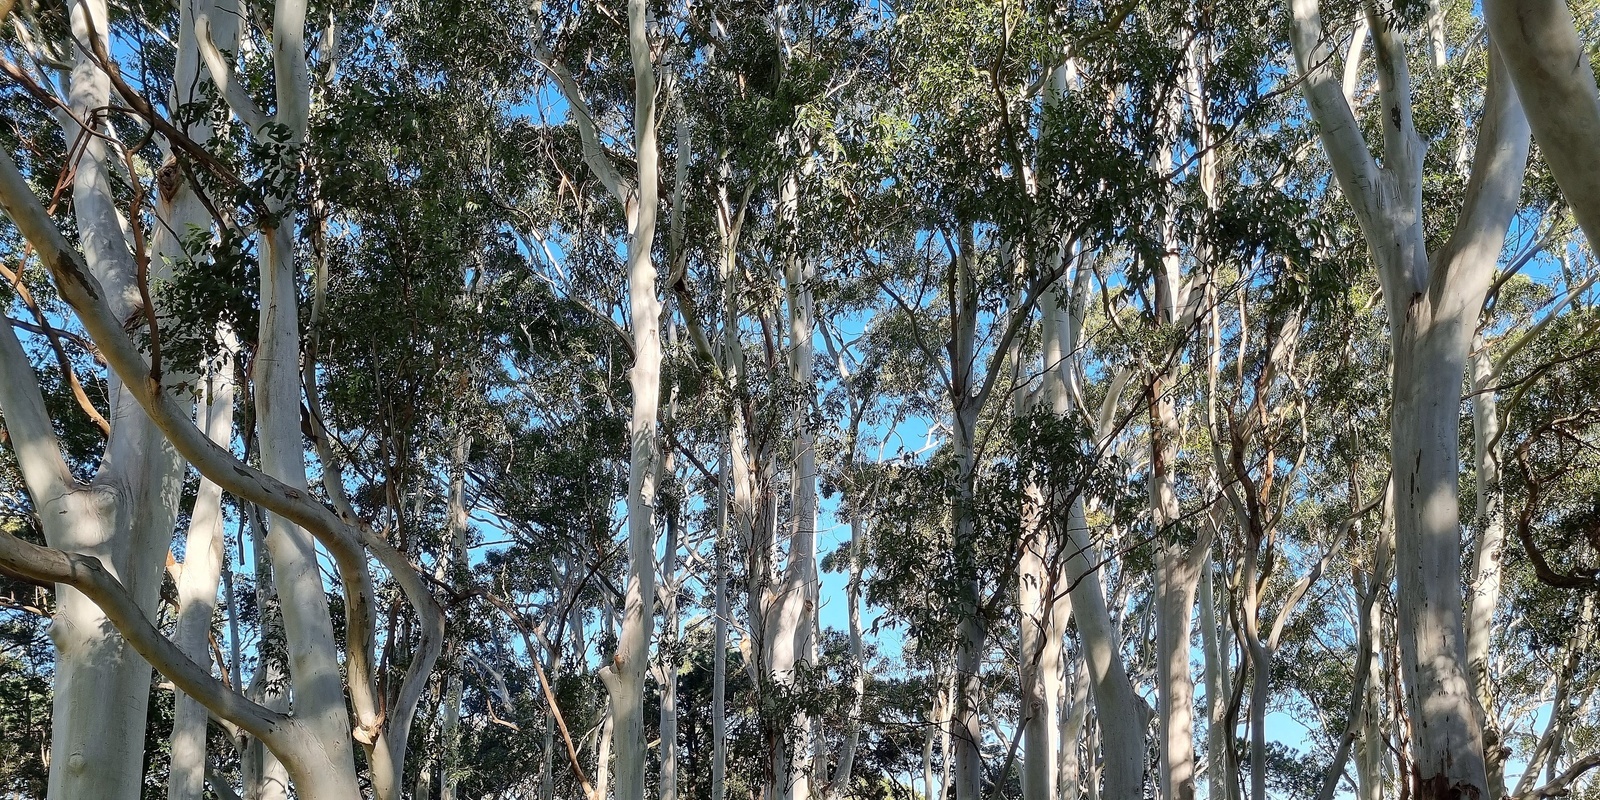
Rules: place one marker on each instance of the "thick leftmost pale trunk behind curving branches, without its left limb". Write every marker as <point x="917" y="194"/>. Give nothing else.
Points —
<point x="126" y="516"/>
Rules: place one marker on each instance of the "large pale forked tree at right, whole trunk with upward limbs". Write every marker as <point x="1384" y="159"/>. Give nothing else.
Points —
<point x="1433" y="313"/>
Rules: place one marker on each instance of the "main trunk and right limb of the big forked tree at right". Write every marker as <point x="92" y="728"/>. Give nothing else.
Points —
<point x="1431" y="351"/>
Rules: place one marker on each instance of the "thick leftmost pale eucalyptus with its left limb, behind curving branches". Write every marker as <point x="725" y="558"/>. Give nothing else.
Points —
<point x="124" y="516"/>
